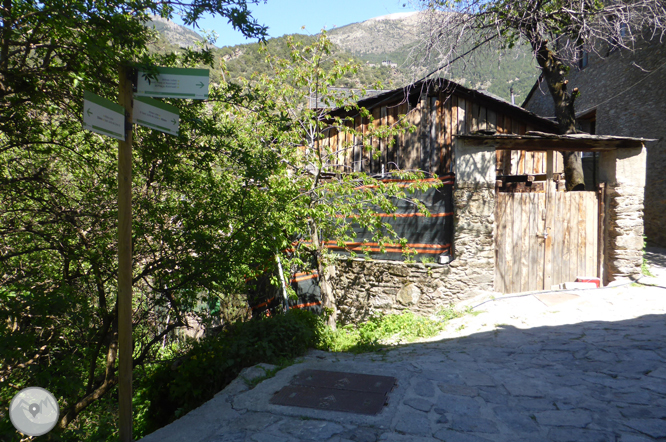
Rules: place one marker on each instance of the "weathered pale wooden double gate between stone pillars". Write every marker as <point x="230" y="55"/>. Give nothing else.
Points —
<point x="545" y="239"/>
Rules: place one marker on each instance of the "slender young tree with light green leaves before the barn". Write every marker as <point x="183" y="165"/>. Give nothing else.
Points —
<point x="327" y="199"/>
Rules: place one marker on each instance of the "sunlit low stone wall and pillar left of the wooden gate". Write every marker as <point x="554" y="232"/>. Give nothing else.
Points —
<point x="363" y="287"/>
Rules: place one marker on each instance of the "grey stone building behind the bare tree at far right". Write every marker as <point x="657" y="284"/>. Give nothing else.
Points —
<point x="622" y="93"/>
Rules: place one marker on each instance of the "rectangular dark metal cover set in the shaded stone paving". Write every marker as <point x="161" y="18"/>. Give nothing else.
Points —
<point x="336" y="391"/>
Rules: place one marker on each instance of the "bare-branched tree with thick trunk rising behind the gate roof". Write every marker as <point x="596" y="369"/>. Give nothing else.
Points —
<point x="558" y="31"/>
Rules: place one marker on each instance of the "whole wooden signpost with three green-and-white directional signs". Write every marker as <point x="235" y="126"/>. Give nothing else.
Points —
<point x="115" y="120"/>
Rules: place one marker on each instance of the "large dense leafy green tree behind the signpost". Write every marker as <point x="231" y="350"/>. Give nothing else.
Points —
<point x="197" y="229"/>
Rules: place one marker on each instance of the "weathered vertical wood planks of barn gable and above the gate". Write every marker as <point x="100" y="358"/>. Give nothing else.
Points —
<point x="437" y="120"/>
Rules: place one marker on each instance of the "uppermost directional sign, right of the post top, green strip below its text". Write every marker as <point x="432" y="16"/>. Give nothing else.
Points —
<point x="174" y="83"/>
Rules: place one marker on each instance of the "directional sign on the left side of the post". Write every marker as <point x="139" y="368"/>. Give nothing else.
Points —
<point x="103" y="116"/>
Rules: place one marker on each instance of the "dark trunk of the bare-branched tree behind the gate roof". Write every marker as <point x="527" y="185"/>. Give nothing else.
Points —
<point x="554" y="72"/>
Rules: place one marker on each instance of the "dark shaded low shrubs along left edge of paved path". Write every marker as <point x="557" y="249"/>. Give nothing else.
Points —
<point x="173" y="389"/>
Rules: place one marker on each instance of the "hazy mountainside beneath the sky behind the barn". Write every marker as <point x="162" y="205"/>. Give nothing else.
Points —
<point x="387" y="47"/>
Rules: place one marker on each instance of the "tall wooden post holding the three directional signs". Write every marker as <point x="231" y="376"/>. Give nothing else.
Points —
<point x="125" y="341"/>
